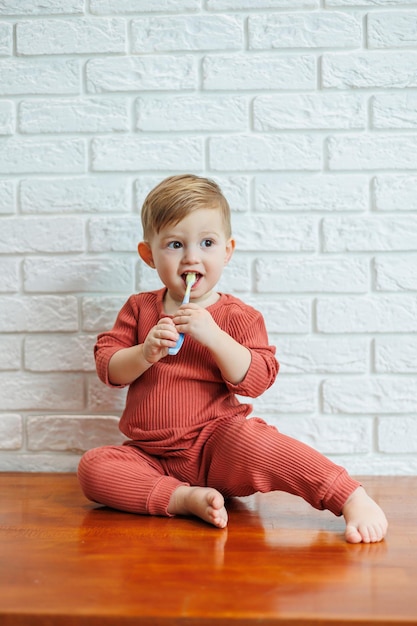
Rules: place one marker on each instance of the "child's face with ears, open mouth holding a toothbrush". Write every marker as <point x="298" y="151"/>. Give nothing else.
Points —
<point x="196" y="244"/>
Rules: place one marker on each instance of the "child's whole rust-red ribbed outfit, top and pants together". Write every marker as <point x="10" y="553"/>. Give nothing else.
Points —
<point x="185" y="425"/>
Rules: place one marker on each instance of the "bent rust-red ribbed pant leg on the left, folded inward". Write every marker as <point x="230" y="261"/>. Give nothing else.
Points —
<point x="125" y="478"/>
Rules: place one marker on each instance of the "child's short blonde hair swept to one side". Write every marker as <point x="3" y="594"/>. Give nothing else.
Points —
<point x="176" y="197"/>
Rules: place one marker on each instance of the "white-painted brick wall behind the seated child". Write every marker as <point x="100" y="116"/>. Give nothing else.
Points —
<point x="305" y="111"/>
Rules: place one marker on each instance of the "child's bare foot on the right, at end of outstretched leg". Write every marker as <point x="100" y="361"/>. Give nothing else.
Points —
<point x="365" y="520"/>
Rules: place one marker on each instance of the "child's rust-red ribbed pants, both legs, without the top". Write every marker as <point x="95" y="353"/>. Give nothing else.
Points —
<point x="238" y="458"/>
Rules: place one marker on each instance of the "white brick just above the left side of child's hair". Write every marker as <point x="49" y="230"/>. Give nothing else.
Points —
<point x="134" y="153"/>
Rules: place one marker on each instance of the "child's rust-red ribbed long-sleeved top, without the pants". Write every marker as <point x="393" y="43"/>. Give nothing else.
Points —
<point x="168" y="405"/>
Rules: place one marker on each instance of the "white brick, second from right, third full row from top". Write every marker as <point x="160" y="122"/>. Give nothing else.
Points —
<point x="309" y="111"/>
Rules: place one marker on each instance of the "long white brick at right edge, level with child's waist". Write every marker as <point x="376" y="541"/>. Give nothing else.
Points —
<point x="372" y="395"/>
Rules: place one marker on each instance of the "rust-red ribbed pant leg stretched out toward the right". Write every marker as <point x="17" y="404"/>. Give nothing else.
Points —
<point x="243" y="457"/>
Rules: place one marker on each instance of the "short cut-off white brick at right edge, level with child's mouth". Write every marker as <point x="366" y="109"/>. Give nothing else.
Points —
<point x="396" y="273"/>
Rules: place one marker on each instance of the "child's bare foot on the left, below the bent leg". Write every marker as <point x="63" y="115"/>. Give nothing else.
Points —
<point x="204" y="502"/>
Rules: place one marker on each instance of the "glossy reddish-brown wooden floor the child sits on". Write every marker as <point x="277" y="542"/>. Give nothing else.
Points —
<point x="65" y="561"/>
